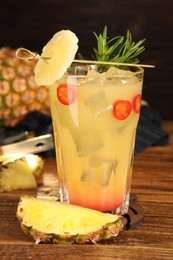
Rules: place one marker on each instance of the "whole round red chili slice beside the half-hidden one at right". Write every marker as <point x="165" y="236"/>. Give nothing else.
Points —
<point x="122" y="109"/>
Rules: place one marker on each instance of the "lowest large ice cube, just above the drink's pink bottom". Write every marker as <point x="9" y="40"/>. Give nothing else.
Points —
<point x="99" y="170"/>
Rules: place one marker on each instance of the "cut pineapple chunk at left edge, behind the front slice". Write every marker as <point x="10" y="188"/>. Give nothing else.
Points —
<point x="19" y="171"/>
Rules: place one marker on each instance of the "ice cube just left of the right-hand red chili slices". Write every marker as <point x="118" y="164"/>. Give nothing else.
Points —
<point x="97" y="103"/>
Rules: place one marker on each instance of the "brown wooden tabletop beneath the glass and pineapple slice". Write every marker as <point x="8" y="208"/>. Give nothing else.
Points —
<point x="152" y="239"/>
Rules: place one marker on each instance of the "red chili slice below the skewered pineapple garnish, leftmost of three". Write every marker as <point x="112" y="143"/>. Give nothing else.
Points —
<point x="66" y="93"/>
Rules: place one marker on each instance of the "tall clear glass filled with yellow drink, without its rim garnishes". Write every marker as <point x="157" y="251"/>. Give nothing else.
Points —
<point x="95" y="116"/>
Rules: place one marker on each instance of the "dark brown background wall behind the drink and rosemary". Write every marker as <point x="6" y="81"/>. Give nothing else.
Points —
<point x="31" y="24"/>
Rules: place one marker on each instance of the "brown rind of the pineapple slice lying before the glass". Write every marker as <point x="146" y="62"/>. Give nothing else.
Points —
<point x="104" y="232"/>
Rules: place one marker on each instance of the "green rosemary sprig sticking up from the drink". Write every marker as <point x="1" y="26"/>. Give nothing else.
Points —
<point x="118" y="49"/>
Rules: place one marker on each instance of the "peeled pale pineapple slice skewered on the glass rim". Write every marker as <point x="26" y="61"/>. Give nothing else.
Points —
<point x="57" y="55"/>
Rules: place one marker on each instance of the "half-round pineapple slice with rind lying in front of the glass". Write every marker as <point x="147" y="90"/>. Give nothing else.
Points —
<point x="49" y="221"/>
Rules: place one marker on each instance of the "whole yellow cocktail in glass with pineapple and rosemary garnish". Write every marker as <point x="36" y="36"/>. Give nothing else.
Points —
<point x="95" y="109"/>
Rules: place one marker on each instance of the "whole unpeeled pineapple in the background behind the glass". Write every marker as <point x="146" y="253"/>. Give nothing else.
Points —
<point x="19" y="93"/>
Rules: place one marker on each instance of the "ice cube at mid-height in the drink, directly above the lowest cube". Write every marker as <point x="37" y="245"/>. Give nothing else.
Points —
<point x="87" y="141"/>
